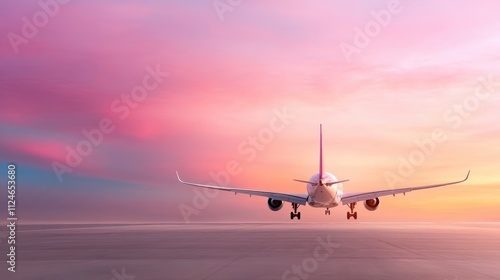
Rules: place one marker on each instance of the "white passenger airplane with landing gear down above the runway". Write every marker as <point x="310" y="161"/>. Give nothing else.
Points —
<point x="324" y="190"/>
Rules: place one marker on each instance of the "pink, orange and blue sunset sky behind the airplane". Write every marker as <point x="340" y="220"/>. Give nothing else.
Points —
<point x="186" y="85"/>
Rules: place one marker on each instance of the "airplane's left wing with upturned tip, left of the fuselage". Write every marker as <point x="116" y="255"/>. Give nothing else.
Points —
<point x="293" y="198"/>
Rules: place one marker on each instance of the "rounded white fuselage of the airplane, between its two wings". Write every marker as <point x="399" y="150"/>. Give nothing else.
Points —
<point x="324" y="193"/>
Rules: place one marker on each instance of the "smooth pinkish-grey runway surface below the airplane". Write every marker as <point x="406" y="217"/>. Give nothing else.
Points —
<point x="257" y="251"/>
